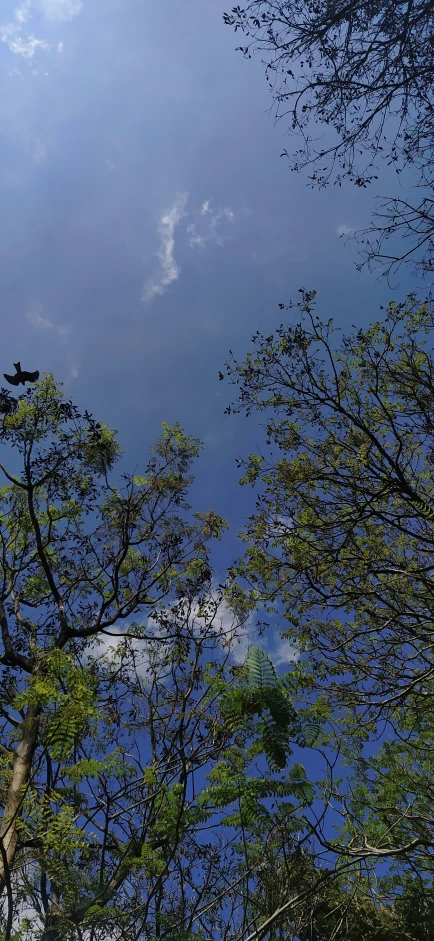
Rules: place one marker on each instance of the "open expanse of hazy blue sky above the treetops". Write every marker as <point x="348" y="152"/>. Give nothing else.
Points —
<point x="149" y="223"/>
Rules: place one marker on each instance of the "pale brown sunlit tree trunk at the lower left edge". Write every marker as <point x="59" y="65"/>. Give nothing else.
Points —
<point x="21" y="769"/>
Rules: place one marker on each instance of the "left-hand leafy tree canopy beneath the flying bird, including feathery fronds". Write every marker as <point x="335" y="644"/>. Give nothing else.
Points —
<point x="142" y="772"/>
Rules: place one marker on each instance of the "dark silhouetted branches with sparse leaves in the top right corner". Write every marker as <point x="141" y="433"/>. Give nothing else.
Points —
<point x="364" y="72"/>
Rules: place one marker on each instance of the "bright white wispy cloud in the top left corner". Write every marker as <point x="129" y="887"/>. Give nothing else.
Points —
<point x="18" y="35"/>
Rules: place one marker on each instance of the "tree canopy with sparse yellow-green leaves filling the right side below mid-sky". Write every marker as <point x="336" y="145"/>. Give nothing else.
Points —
<point x="340" y="548"/>
